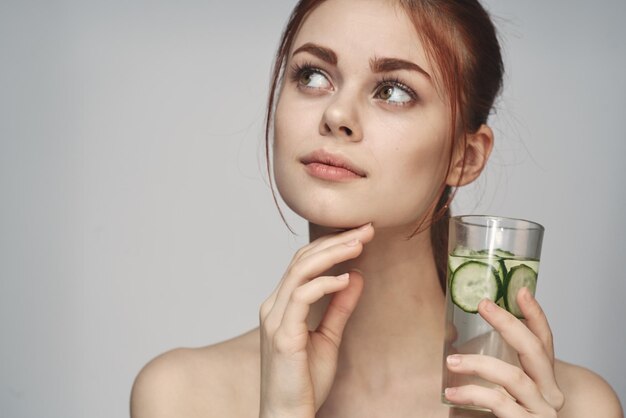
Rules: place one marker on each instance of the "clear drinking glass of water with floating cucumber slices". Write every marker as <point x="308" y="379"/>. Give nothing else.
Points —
<point x="488" y="257"/>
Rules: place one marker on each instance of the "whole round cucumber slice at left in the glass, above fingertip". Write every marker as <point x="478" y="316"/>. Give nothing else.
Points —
<point x="472" y="282"/>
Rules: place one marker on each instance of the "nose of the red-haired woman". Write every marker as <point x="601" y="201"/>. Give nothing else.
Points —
<point x="341" y="120"/>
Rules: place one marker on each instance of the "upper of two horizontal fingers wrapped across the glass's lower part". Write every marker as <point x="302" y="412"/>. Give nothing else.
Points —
<point x="513" y="379"/>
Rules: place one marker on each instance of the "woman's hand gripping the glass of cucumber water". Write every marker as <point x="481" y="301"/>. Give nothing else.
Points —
<point x="531" y="391"/>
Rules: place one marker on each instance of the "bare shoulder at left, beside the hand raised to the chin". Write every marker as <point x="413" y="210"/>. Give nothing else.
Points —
<point x="220" y="380"/>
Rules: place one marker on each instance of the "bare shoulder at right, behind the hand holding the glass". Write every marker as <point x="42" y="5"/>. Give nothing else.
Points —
<point x="586" y="393"/>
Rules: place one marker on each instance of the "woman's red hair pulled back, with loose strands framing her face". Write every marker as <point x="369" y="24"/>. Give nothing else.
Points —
<point x="460" y="41"/>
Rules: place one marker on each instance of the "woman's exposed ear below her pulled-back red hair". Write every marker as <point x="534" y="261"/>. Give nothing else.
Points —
<point x="469" y="161"/>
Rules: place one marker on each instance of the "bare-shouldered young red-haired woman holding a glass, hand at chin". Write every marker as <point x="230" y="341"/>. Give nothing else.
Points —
<point x="381" y="110"/>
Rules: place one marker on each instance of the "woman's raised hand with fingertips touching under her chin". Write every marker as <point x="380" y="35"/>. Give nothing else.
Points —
<point x="297" y="365"/>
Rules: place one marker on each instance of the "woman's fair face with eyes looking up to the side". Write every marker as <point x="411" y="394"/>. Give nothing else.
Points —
<point x="361" y="133"/>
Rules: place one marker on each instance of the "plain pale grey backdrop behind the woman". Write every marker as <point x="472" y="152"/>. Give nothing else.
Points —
<point x="134" y="212"/>
